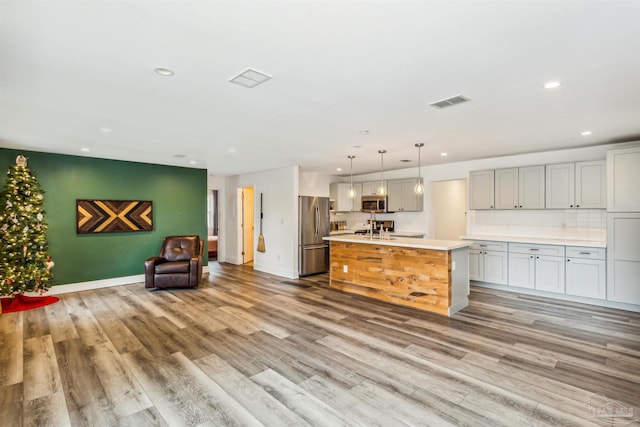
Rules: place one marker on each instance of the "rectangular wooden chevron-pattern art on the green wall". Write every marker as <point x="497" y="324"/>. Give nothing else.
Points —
<point x="113" y="216"/>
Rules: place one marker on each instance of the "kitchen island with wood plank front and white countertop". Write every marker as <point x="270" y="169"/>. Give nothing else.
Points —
<point x="431" y="275"/>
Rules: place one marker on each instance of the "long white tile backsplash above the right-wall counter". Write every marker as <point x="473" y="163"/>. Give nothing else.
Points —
<point x="573" y="224"/>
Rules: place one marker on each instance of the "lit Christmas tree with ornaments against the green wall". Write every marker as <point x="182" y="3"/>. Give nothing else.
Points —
<point x="24" y="261"/>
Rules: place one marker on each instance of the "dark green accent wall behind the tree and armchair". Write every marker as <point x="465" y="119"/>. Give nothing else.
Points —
<point x="179" y="197"/>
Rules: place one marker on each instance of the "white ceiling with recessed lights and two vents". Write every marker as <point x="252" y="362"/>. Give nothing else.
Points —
<point x="71" y="68"/>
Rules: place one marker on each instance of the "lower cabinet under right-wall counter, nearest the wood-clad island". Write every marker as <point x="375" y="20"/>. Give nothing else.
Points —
<point x="488" y="262"/>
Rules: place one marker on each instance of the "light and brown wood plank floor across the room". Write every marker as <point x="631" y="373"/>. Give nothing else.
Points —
<point x="249" y="348"/>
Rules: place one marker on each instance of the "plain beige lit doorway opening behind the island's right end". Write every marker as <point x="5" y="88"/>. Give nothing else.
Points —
<point x="449" y="209"/>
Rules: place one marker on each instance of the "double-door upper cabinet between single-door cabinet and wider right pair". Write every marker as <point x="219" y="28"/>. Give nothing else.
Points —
<point x="519" y="188"/>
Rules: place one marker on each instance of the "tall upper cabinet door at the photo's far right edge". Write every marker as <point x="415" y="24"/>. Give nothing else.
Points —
<point x="623" y="176"/>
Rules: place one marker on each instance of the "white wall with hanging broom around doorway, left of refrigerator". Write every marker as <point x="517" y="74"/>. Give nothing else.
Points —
<point x="280" y="225"/>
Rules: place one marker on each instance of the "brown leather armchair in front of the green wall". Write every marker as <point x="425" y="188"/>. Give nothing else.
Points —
<point x="178" y="266"/>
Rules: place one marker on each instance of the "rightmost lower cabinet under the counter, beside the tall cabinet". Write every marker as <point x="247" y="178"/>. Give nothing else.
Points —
<point x="586" y="272"/>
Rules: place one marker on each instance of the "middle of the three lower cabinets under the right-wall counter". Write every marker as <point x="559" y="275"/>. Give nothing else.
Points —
<point x="539" y="267"/>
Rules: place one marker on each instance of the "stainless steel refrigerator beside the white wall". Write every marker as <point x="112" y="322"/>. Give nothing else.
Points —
<point x="313" y="225"/>
